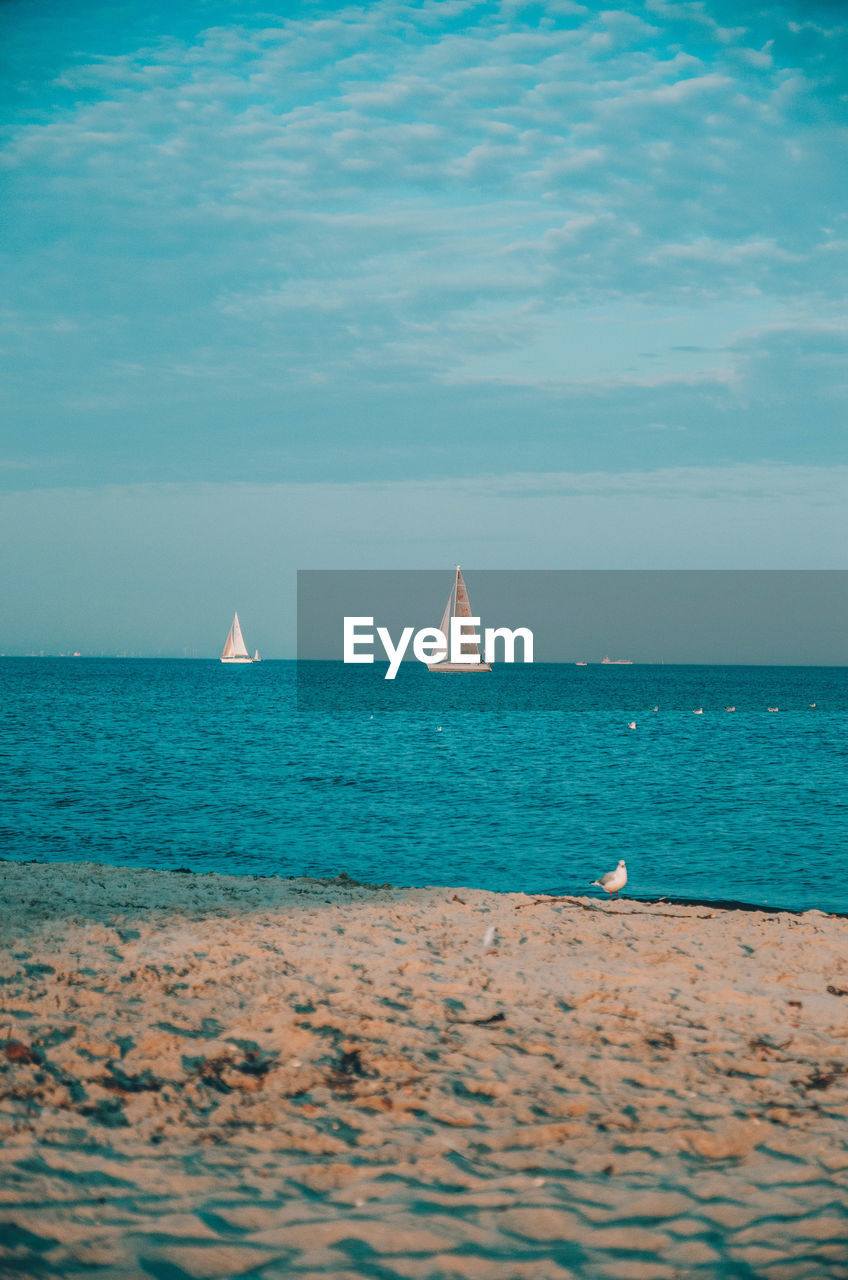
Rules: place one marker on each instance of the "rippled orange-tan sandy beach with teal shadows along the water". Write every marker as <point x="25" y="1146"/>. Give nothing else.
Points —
<point x="220" y="1077"/>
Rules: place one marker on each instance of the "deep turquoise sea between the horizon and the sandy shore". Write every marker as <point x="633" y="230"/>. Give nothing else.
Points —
<point x="536" y="787"/>
